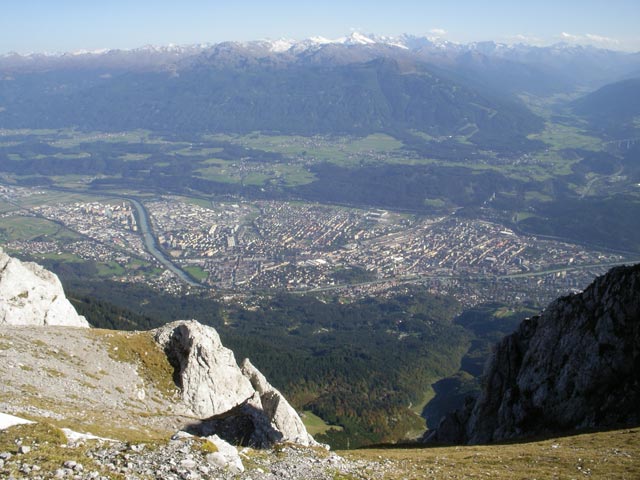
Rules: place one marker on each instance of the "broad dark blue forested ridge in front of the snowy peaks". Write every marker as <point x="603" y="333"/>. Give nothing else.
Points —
<point x="230" y="91"/>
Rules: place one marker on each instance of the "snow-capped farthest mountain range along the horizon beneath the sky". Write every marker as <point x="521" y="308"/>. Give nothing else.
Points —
<point x="574" y="64"/>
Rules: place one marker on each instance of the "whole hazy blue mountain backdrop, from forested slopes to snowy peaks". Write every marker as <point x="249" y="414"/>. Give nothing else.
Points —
<point x="353" y="85"/>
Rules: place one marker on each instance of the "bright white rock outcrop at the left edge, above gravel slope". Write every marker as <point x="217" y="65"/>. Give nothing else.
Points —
<point x="31" y="295"/>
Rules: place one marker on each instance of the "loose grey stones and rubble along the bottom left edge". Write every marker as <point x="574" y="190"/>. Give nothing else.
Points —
<point x="181" y="458"/>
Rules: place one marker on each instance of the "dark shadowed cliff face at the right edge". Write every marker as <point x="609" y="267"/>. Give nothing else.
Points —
<point x="577" y="365"/>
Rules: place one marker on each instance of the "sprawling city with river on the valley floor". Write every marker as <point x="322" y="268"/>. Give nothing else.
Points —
<point x="242" y="247"/>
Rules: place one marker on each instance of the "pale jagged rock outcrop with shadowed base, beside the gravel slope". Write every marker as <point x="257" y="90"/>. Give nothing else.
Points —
<point x="237" y="404"/>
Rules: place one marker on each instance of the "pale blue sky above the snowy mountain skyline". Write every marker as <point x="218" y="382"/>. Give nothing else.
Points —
<point x="72" y="25"/>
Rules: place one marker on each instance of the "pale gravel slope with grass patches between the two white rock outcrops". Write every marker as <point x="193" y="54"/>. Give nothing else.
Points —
<point x="67" y="373"/>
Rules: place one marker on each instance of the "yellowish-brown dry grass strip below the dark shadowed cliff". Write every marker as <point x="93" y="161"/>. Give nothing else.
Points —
<point x="604" y="455"/>
